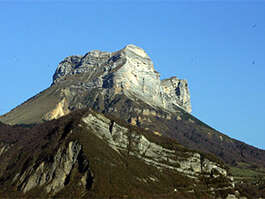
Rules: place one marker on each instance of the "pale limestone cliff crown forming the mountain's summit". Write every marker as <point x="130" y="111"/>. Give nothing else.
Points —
<point x="129" y="71"/>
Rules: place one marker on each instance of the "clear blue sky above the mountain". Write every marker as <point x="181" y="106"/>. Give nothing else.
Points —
<point x="218" y="46"/>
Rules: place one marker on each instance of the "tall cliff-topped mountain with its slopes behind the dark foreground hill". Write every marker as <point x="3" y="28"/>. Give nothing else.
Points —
<point x="125" y="84"/>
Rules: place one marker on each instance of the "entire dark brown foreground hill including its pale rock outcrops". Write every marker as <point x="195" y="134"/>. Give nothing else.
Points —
<point x="88" y="155"/>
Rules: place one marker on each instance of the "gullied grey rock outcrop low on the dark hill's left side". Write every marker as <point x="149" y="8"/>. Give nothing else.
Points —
<point x="51" y="174"/>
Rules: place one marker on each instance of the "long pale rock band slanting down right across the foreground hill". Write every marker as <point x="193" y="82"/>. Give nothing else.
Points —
<point x="126" y="141"/>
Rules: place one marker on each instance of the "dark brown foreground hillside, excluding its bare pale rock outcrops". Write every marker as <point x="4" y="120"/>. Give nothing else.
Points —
<point x="108" y="174"/>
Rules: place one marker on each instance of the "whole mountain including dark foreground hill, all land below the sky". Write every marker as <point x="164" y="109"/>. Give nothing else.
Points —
<point x="150" y="115"/>
